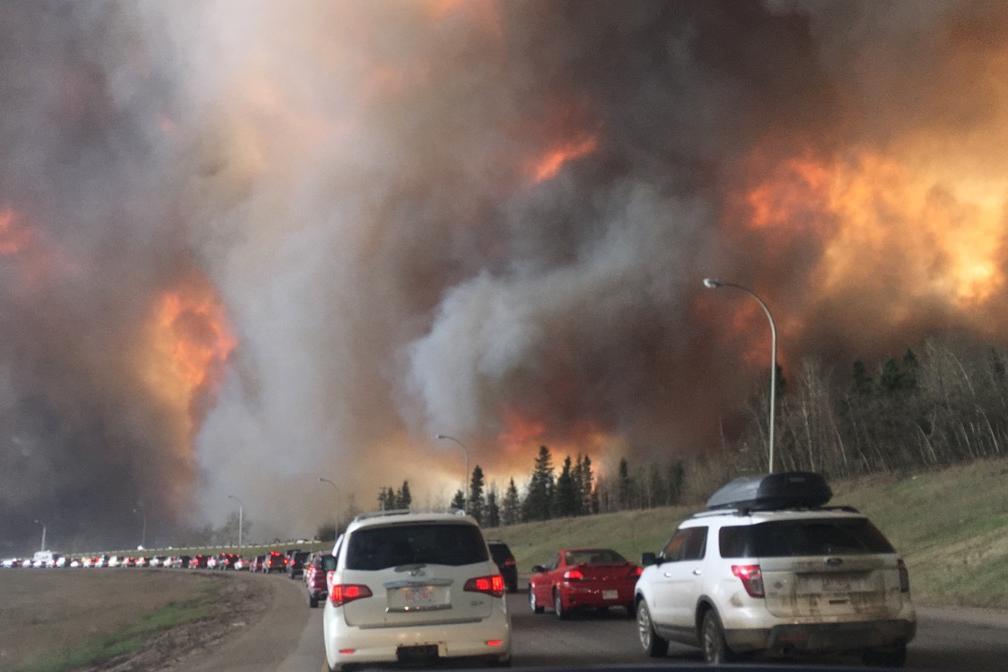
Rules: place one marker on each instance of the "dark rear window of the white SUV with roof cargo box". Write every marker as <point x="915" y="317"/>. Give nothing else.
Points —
<point x="791" y="539"/>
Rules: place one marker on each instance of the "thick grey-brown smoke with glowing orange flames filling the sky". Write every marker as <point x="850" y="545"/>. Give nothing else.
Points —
<point x="360" y="188"/>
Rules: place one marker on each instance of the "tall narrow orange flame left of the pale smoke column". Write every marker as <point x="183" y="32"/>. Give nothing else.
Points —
<point x="190" y="342"/>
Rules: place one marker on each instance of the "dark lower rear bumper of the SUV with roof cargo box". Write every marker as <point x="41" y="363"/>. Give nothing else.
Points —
<point x="823" y="637"/>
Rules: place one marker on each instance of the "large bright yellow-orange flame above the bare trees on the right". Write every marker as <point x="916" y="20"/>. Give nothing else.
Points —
<point x="941" y="233"/>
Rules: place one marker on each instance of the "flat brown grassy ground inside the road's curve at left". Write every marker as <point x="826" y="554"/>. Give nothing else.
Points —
<point x="48" y="616"/>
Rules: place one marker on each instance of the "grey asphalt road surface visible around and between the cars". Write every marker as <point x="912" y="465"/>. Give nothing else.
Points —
<point x="289" y="639"/>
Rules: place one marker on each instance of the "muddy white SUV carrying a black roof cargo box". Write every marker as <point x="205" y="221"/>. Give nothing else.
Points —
<point x="770" y="569"/>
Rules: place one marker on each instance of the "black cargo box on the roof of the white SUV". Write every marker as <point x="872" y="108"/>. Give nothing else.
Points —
<point x="769" y="492"/>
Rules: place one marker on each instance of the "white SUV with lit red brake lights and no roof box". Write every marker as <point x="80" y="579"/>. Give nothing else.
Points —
<point x="412" y="587"/>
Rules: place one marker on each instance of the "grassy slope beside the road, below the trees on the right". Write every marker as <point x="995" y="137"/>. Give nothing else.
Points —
<point x="951" y="526"/>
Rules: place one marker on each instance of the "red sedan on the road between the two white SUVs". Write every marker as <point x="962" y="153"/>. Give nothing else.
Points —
<point x="582" y="579"/>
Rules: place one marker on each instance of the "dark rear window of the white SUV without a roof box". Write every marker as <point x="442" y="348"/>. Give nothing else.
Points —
<point x="430" y="544"/>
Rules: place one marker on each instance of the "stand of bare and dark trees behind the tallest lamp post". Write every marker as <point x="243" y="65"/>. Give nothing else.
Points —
<point x="946" y="405"/>
